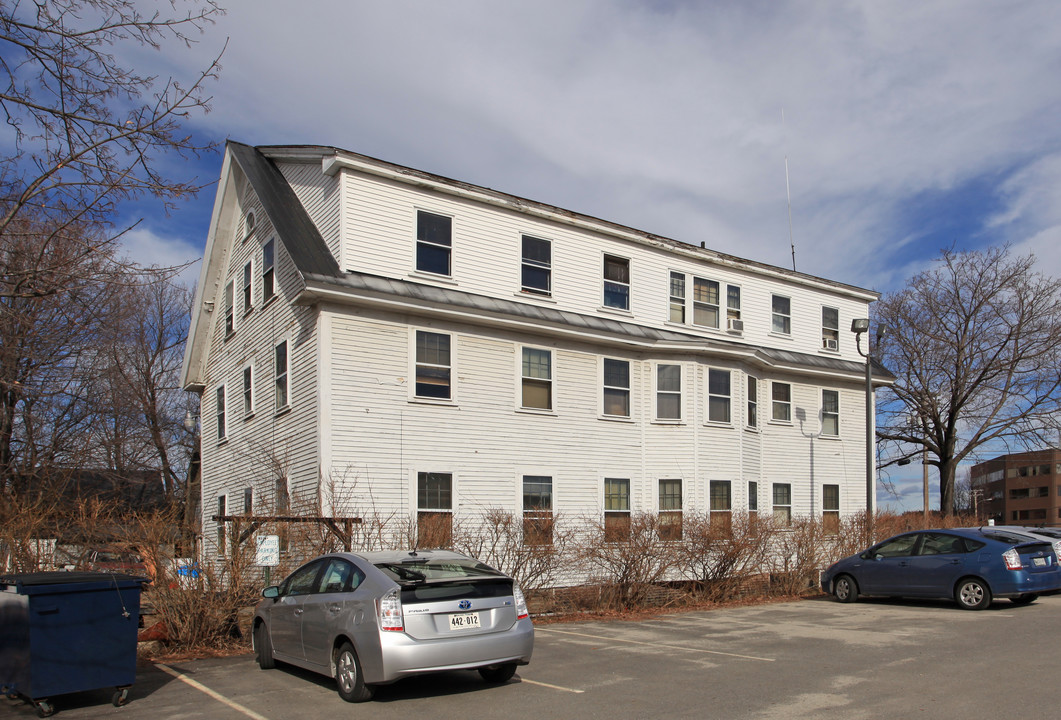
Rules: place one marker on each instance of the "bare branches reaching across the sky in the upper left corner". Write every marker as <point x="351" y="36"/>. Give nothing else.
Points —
<point x="89" y="131"/>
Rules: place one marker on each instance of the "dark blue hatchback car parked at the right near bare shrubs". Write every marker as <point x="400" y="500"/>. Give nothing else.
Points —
<point x="970" y="566"/>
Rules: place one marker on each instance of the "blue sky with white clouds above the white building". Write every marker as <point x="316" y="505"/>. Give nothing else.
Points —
<point x="909" y="127"/>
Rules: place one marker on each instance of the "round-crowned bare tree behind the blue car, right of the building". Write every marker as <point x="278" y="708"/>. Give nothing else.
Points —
<point x="976" y="345"/>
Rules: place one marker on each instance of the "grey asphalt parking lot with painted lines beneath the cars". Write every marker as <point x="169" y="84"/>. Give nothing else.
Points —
<point x="806" y="659"/>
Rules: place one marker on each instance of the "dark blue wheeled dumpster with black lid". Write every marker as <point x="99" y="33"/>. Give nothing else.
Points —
<point x="68" y="633"/>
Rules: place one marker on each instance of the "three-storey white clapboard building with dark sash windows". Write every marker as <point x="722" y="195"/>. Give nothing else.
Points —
<point x="372" y="339"/>
